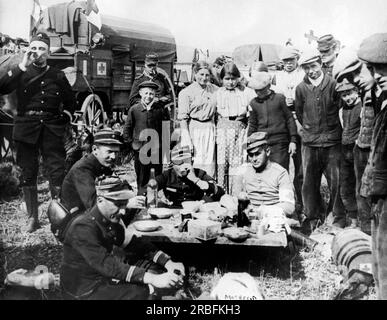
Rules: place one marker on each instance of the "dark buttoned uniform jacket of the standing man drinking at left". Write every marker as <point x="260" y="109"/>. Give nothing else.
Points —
<point x="48" y="97"/>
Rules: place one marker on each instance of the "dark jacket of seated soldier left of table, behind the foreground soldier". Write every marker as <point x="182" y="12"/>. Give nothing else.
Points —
<point x="78" y="188"/>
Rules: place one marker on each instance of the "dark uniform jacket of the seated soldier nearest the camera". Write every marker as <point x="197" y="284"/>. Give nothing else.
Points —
<point x="87" y="255"/>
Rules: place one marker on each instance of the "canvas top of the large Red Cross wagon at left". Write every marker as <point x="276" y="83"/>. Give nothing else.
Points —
<point x="67" y="26"/>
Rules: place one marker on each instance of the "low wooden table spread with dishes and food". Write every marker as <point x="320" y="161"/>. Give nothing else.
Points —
<point x="170" y="233"/>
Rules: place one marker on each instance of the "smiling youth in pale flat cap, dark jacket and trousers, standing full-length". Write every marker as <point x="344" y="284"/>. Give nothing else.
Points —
<point x="317" y="109"/>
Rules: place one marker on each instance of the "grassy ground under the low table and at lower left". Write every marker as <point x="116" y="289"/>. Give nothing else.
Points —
<point x="281" y="274"/>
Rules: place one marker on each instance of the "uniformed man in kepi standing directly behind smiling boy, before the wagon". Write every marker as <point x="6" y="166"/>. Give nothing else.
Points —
<point x="163" y="93"/>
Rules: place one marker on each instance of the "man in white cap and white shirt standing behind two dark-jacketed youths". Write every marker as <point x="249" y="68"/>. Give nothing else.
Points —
<point x="286" y="82"/>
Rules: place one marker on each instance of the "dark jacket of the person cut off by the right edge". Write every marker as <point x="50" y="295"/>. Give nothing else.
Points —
<point x="374" y="181"/>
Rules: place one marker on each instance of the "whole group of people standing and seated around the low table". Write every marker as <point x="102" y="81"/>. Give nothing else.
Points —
<point x="325" y="111"/>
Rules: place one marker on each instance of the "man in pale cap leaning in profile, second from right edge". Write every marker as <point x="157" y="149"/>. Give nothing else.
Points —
<point x="349" y="67"/>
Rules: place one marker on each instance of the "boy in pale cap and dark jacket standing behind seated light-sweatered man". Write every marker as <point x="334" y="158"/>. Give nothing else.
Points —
<point x="270" y="113"/>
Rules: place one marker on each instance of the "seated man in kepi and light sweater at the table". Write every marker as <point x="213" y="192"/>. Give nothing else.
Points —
<point x="266" y="183"/>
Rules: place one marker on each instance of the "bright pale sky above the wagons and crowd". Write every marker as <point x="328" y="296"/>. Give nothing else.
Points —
<point x="222" y="25"/>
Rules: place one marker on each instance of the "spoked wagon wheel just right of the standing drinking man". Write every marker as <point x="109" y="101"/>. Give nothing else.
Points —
<point x="93" y="112"/>
